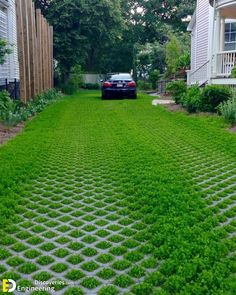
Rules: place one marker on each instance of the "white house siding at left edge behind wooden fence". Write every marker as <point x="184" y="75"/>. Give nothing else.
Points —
<point x="8" y="32"/>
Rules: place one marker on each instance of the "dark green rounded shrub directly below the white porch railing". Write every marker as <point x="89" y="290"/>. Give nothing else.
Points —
<point x="212" y="96"/>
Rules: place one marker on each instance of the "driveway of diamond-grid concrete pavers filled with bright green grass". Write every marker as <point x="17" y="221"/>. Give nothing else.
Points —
<point x="119" y="197"/>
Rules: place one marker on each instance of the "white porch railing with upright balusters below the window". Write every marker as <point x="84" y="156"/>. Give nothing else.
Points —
<point x="225" y="62"/>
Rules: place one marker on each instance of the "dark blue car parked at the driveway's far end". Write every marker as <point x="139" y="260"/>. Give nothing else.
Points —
<point x="119" y="85"/>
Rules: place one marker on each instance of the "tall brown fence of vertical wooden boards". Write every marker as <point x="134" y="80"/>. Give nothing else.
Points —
<point x="35" y="50"/>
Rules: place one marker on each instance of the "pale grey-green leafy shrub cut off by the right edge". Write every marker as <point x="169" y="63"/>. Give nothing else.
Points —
<point x="228" y="110"/>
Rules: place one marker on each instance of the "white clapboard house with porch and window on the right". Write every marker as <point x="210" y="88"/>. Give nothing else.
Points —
<point x="213" y="42"/>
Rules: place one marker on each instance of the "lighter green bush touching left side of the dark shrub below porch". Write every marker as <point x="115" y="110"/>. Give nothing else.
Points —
<point x="192" y="99"/>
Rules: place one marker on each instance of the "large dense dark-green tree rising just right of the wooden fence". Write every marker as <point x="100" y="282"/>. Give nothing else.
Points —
<point x="83" y="31"/>
